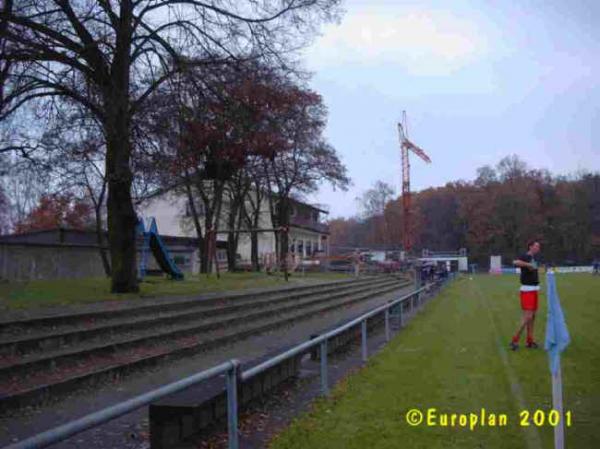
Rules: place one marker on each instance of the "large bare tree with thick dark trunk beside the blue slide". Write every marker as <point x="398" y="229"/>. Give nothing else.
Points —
<point x="110" y="56"/>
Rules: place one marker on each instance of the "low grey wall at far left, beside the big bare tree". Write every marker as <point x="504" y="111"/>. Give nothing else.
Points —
<point x="19" y="262"/>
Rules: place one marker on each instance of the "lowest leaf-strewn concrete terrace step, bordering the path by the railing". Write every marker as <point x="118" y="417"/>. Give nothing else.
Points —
<point x="55" y="376"/>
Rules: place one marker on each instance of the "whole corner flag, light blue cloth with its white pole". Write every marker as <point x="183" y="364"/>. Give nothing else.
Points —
<point x="557" y="339"/>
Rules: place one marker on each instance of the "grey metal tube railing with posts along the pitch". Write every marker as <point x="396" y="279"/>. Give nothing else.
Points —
<point x="233" y="377"/>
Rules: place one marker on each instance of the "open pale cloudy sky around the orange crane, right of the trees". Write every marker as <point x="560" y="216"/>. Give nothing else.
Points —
<point x="479" y="80"/>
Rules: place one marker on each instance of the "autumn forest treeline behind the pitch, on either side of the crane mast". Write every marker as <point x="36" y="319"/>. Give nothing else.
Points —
<point x="497" y="213"/>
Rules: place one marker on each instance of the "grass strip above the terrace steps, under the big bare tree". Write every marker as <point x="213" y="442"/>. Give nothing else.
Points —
<point x="15" y="295"/>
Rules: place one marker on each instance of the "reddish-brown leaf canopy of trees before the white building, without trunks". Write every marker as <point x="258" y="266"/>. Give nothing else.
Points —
<point x="253" y="115"/>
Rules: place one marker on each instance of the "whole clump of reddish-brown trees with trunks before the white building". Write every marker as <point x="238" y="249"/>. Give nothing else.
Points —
<point x="241" y="135"/>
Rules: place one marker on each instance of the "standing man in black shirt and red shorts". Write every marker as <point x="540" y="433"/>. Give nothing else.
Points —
<point x="530" y="287"/>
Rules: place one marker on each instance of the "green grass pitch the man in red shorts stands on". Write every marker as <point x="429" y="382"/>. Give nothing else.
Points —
<point x="454" y="357"/>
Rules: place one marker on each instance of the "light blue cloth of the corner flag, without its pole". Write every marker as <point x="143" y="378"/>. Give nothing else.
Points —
<point x="557" y="334"/>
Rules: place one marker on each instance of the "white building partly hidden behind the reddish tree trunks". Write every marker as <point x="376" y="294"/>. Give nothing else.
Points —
<point x="307" y="235"/>
